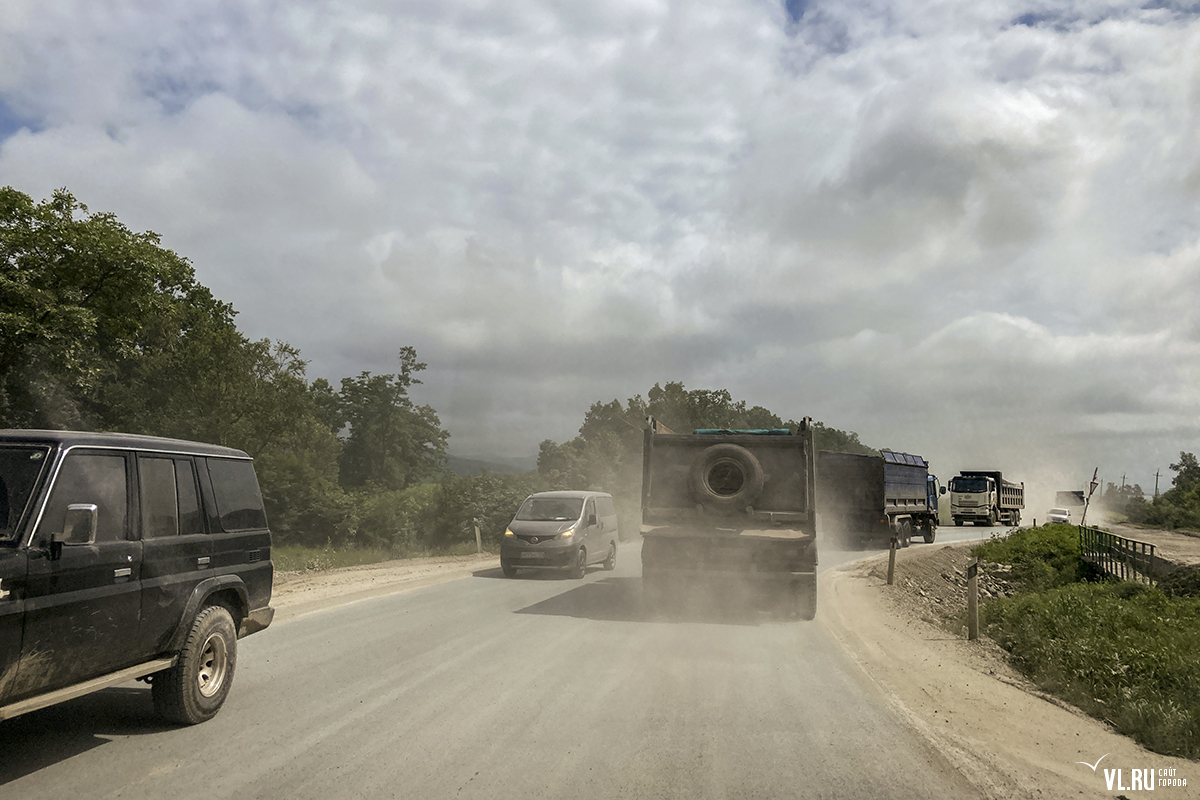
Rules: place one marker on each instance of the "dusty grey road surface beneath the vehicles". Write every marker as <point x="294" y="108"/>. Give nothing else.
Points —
<point x="494" y="688"/>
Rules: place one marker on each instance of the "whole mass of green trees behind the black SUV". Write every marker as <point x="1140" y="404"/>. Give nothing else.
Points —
<point x="103" y="328"/>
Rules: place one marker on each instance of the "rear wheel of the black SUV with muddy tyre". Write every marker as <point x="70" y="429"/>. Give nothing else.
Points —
<point x="194" y="690"/>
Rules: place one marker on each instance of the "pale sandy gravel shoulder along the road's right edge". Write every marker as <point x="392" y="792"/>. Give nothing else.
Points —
<point x="1004" y="735"/>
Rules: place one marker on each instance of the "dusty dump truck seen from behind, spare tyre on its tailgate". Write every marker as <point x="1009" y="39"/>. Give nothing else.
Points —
<point x="730" y="509"/>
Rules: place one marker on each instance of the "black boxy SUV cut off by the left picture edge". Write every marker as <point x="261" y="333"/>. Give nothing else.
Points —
<point x="128" y="557"/>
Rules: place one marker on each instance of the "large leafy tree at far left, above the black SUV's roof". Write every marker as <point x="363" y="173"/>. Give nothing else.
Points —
<point x="82" y="296"/>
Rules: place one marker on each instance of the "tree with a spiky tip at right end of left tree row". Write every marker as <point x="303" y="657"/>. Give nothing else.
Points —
<point x="392" y="443"/>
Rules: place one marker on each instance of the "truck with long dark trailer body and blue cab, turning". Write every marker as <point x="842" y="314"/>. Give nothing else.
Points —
<point x="878" y="497"/>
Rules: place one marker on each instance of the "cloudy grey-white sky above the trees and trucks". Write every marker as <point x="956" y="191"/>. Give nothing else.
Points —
<point x="967" y="231"/>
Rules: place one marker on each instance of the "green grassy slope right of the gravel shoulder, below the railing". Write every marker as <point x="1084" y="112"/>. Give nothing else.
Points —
<point x="1125" y="653"/>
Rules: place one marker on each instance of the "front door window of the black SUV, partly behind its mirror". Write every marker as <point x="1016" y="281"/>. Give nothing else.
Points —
<point x="91" y="478"/>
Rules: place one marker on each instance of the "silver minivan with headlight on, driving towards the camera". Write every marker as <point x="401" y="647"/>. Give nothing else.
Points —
<point x="562" y="531"/>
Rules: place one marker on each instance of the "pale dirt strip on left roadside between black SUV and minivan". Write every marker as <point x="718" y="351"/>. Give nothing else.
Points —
<point x="302" y="593"/>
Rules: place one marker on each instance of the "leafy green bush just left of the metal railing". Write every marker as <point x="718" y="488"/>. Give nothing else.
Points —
<point x="1042" y="558"/>
